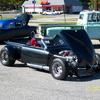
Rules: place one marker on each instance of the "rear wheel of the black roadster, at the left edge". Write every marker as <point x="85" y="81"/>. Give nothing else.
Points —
<point x="6" y="57"/>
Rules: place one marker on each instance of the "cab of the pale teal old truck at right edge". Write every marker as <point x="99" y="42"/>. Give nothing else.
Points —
<point x="90" y="20"/>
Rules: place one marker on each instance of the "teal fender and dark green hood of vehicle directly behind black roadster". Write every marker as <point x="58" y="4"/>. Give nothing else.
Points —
<point x="51" y="30"/>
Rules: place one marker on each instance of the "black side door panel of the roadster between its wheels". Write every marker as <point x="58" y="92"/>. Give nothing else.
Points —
<point x="34" y="55"/>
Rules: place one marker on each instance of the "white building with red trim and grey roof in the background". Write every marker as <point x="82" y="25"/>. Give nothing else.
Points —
<point x="69" y="6"/>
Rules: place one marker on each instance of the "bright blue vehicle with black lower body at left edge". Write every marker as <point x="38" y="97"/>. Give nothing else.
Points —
<point x="16" y="27"/>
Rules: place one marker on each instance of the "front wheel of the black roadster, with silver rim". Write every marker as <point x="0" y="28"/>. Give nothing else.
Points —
<point x="58" y="69"/>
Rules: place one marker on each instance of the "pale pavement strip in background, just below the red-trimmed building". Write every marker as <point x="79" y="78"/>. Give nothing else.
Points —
<point x="55" y="18"/>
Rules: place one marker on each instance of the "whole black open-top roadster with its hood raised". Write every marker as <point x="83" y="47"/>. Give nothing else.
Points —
<point x="69" y="53"/>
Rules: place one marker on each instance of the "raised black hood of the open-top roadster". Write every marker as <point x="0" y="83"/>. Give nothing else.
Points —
<point x="80" y="44"/>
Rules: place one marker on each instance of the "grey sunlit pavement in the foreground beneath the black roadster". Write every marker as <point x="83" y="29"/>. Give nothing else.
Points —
<point x="24" y="83"/>
